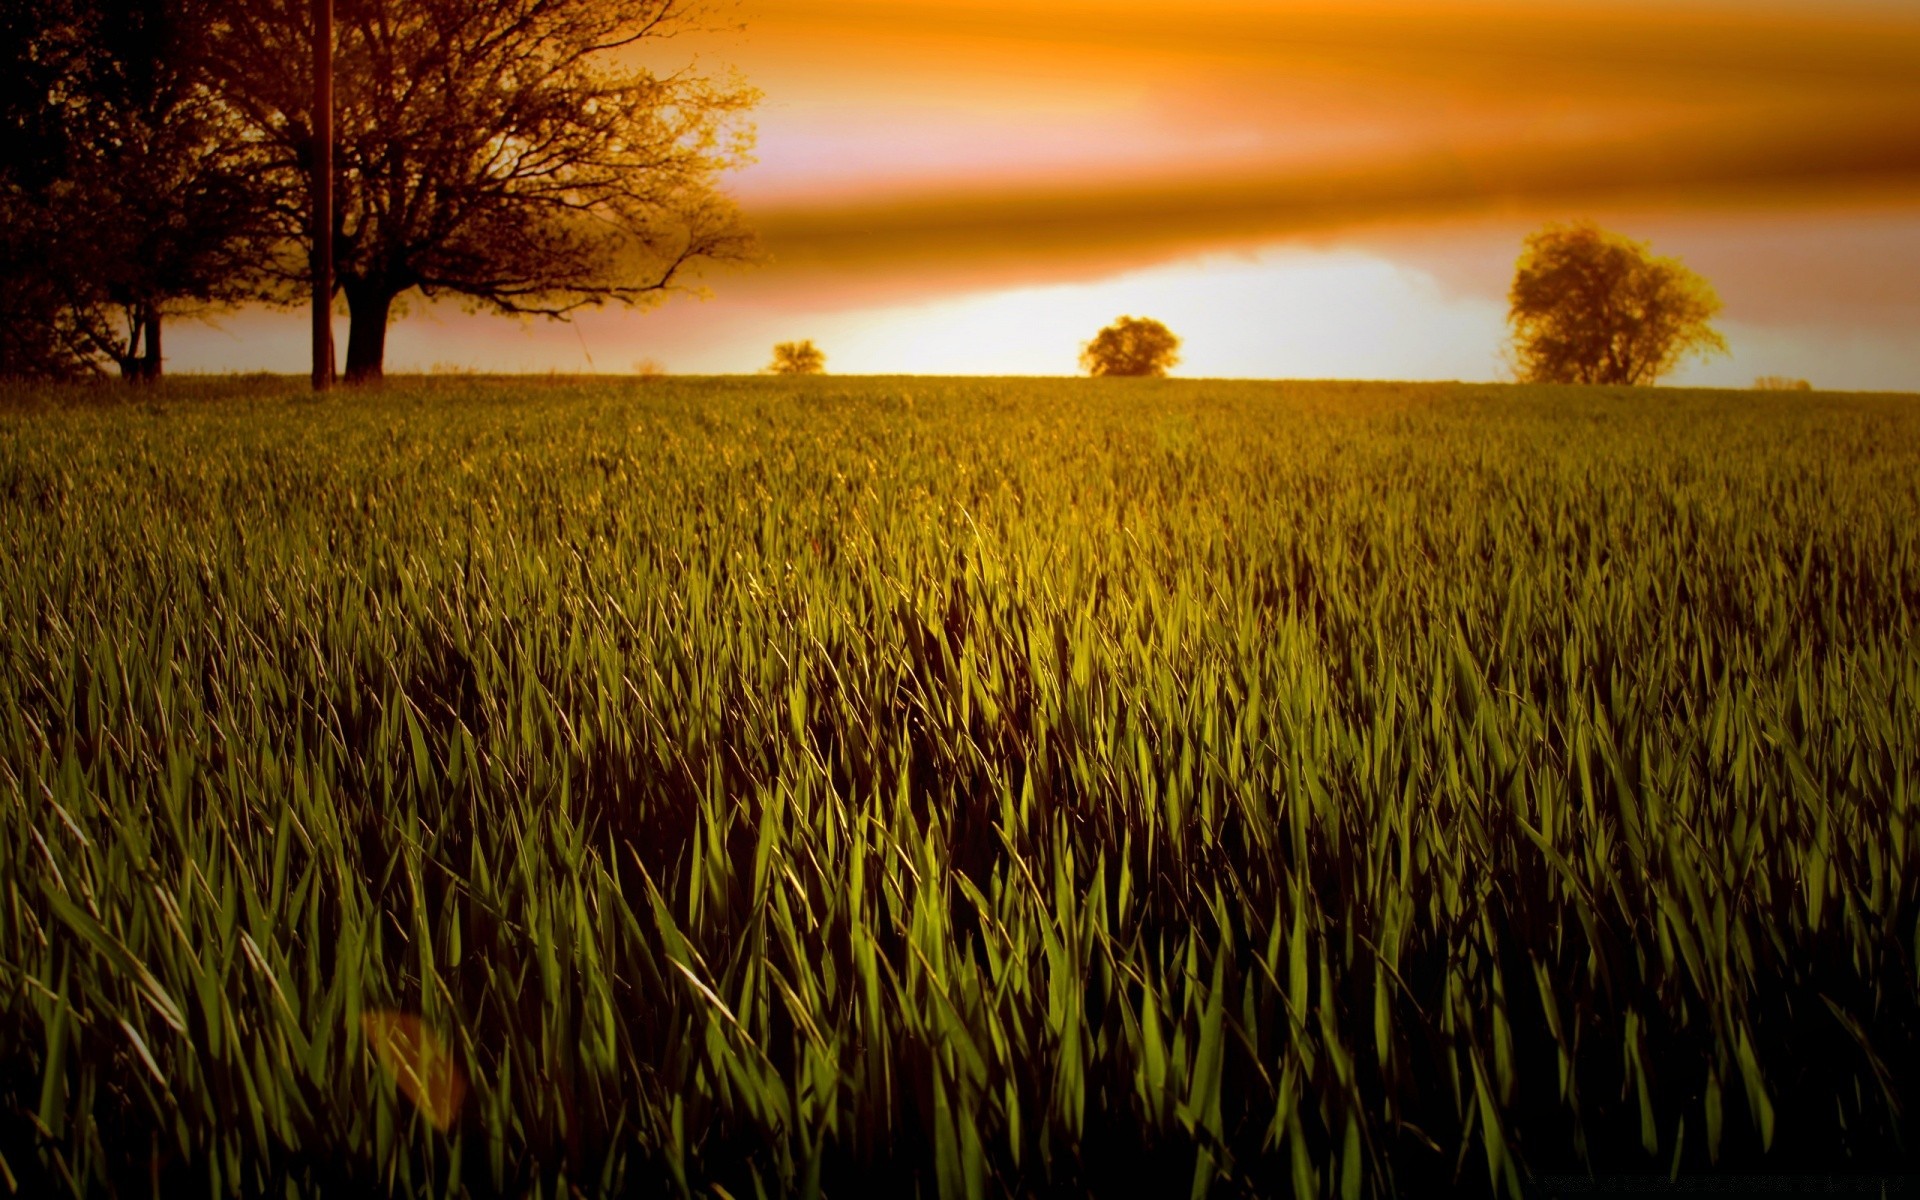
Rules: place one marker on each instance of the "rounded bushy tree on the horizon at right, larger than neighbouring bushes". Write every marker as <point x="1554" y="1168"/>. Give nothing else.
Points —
<point x="1596" y="308"/>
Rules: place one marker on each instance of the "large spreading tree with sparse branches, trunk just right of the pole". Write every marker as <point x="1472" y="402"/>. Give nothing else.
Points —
<point x="512" y="153"/>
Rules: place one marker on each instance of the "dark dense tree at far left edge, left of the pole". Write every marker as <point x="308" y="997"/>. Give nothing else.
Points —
<point x="132" y="193"/>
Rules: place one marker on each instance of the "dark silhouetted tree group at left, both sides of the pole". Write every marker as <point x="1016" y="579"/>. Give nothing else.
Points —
<point x="156" y="160"/>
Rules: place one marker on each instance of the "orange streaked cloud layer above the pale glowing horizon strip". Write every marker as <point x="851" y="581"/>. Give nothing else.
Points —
<point x="1234" y="122"/>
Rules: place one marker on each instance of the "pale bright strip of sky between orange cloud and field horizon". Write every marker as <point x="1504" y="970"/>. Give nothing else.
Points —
<point x="1426" y="308"/>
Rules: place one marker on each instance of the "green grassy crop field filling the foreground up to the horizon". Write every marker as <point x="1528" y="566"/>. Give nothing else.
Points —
<point x="955" y="788"/>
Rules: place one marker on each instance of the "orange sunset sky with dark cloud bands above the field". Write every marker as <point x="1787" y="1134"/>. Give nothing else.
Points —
<point x="1299" y="189"/>
